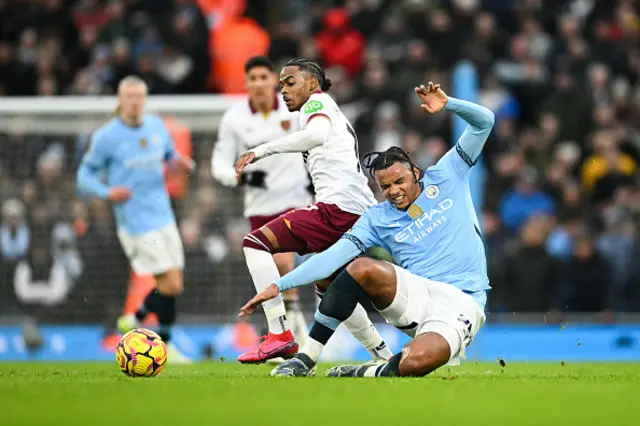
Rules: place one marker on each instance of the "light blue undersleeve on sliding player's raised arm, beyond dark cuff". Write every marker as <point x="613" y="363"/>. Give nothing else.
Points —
<point x="480" y="122"/>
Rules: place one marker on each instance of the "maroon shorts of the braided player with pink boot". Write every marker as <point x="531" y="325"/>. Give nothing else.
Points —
<point x="310" y="229"/>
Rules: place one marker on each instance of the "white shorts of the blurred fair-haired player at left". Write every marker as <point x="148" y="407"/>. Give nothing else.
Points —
<point x="155" y="252"/>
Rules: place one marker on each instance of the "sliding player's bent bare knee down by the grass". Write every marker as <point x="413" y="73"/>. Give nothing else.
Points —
<point x="424" y="355"/>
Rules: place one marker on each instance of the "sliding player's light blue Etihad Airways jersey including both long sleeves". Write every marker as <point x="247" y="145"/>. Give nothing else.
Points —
<point x="438" y="237"/>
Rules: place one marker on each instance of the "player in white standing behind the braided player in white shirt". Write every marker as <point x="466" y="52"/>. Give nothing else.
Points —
<point x="276" y="185"/>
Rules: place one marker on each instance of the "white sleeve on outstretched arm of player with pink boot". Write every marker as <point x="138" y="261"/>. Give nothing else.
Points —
<point x="316" y="132"/>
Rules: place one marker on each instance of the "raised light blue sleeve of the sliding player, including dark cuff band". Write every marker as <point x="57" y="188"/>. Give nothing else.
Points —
<point x="469" y="147"/>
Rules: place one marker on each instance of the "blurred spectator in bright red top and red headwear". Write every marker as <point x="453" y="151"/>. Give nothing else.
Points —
<point x="339" y="43"/>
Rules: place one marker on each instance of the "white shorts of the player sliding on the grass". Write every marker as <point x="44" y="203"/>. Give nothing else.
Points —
<point x="422" y="305"/>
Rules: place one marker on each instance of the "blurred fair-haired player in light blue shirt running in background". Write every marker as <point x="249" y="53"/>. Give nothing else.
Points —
<point x="132" y="149"/>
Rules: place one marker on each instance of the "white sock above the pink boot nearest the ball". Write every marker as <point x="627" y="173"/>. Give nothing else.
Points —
<point x="264" y="272"/>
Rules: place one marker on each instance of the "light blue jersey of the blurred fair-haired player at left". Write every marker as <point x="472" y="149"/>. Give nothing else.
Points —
<point x="133" y="157"/>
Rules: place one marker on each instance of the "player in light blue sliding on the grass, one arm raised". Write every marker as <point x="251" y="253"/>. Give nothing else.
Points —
<point x="438" y="290"/>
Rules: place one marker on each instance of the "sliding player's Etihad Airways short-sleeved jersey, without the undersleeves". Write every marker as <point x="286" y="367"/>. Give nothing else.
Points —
<point x="439" y="236"/>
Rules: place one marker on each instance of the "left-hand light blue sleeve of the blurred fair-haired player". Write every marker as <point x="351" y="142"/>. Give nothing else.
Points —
<point x="88" y="179"/>
